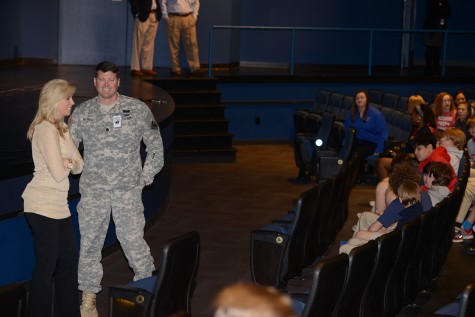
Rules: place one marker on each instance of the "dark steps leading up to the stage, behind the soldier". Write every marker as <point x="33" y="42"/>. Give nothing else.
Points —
<point x="200" y="128"/>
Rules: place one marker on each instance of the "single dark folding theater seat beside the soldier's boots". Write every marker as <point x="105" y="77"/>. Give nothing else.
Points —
<point x="169" y="291"/>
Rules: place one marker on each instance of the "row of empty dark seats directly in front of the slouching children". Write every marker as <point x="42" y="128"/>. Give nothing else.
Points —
<point x="281" y="250"/>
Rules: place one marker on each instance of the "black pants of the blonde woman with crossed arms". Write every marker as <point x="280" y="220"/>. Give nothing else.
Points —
<point x="56" y="260"/>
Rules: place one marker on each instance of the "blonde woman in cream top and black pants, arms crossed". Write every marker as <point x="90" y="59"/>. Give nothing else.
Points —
<point x="46" y="205"/>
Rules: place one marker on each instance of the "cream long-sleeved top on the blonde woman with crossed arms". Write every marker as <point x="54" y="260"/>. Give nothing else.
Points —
<point x="47" y="192"/>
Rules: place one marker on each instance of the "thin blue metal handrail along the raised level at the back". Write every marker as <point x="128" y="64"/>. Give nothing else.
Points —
<point x="293" y="30"/>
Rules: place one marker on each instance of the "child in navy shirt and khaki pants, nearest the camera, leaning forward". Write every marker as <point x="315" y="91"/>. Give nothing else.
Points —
<point x="409" y="195"/>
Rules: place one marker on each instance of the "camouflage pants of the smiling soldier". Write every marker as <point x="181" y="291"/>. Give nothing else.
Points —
<point x="94" y="211"/>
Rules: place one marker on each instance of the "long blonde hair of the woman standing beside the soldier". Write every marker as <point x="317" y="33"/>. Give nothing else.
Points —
<point x="51" y="93"/>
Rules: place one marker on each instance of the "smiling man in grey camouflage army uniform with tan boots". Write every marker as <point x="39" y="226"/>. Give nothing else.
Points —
<point x="111" y="128"/>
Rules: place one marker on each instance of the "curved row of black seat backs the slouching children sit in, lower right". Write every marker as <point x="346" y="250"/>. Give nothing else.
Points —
<point x="374" y="280"/>
